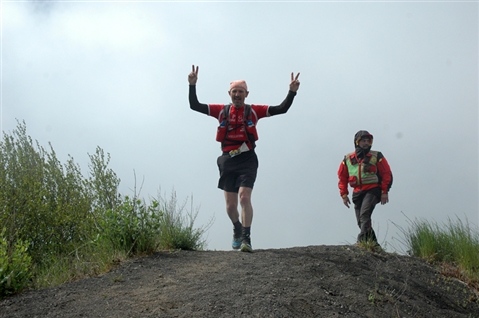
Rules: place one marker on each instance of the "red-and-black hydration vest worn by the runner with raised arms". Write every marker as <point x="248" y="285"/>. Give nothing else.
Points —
<point x="247" y="124"/>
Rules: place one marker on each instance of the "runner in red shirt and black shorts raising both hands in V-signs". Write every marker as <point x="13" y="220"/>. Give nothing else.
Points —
<point x="238" y="164"/>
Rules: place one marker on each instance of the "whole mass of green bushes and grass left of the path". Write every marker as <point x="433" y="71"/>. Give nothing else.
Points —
<point x="59" y="225"/>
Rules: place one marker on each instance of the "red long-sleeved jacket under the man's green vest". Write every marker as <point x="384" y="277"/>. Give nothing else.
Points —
<point x="383" y="171"/>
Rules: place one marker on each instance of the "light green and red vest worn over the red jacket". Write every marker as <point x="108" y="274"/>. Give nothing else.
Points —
<point x="364" y="172"/>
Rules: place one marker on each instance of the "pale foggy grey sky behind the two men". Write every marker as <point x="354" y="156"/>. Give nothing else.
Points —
<point x="114" y="75"/>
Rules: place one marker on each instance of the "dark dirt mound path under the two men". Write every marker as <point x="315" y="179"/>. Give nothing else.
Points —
<point x="313" y="281"/>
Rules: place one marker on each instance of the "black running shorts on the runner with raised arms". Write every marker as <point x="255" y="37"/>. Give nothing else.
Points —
<point x="238" y="171"/>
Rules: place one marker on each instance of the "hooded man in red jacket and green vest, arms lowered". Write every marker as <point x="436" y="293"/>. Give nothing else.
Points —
<point x="368" y="173"/>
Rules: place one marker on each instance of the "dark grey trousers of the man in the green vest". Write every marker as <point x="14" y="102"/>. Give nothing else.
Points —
<point x="364" y="204"/>
